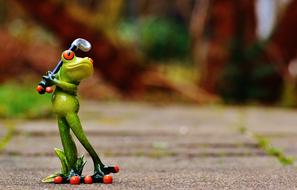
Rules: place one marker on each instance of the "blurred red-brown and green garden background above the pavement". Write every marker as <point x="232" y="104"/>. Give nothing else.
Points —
<point x="170" y="51"/>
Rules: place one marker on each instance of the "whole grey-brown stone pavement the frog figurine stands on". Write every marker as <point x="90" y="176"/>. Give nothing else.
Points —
<point x="161" y="147"/>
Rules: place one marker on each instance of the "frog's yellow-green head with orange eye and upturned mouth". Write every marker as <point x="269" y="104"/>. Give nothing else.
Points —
<point x="74" y="69"/>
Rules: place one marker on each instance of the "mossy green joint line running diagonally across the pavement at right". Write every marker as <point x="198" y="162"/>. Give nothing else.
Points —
<point x="263" y="143"/>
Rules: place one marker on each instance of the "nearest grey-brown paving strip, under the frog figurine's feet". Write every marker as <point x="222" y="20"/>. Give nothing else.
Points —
<point x="163" y="173"/>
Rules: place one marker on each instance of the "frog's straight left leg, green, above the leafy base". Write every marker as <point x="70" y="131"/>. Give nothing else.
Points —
<point x="69" y="147"/>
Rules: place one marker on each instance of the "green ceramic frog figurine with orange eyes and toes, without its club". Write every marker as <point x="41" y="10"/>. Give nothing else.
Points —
<point x="65" y="106"/>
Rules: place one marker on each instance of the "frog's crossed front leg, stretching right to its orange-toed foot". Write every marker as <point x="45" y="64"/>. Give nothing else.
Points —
<point x="99" y="168"/>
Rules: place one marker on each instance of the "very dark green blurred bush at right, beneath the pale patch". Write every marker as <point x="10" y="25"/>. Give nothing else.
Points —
<point x="247" y="72"/>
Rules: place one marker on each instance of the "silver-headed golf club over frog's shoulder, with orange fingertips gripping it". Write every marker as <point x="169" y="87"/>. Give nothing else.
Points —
<point x="78" y="43"/>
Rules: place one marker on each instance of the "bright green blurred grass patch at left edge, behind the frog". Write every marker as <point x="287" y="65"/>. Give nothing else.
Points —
<point x="18" y="101"/>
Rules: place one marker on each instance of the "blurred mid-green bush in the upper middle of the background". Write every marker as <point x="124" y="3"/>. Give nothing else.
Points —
<point x="158" y="38"/>
